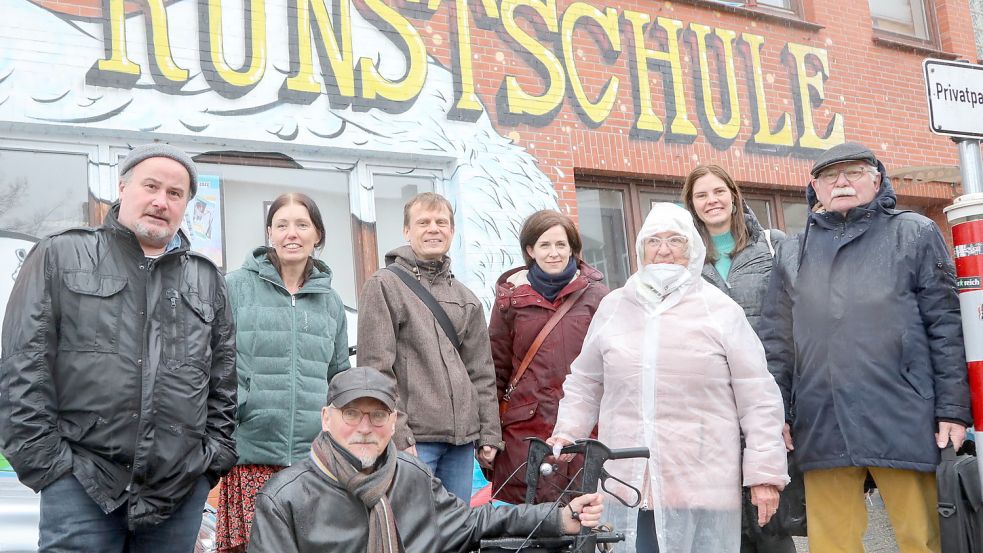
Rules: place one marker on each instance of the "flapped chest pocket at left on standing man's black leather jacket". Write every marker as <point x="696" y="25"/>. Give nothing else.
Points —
<point x="90" y="312"/>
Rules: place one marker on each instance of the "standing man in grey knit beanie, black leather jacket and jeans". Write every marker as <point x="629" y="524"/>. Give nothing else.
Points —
<point x="118" y="384"/>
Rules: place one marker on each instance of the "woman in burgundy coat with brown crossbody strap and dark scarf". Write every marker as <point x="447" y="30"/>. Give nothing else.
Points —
<point x="526" y="298"/>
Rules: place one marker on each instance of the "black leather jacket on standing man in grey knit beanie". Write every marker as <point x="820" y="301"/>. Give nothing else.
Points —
<point x="118" y="369"/>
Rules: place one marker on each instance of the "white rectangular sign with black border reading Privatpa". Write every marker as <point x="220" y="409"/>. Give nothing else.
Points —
<point x="955" y="97"/>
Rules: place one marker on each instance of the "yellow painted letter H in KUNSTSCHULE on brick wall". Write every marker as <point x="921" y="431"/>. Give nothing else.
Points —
<point x="646" y="121"/>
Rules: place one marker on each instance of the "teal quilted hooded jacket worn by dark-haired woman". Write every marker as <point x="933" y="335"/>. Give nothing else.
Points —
<point x="288" y="348"/>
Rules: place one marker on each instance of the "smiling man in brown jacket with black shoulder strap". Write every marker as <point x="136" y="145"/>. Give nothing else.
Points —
<point x="447" y="401"/>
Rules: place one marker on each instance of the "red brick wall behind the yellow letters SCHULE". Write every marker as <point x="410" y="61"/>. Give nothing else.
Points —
<point x="876" y="86"/>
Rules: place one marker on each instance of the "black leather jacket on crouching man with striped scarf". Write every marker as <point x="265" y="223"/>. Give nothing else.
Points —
<point x="301" y="510"/>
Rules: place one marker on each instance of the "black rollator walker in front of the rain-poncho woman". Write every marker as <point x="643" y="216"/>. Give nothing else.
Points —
<point x="595" y="454"/>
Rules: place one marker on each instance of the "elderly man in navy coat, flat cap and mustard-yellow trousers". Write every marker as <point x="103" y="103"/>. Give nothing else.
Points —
<point x="863" y="334"/>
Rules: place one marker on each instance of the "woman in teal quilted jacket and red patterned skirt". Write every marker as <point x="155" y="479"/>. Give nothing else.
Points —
<point x="291" y="338"/>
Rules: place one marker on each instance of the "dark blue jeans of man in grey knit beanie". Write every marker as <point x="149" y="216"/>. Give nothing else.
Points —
<point x="71" y="522"/>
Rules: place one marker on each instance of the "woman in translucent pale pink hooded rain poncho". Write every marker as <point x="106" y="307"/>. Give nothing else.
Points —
<point x="671" y="363"/>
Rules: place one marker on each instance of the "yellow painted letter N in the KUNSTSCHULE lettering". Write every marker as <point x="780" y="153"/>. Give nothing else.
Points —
<point x="303" y="86"/>
